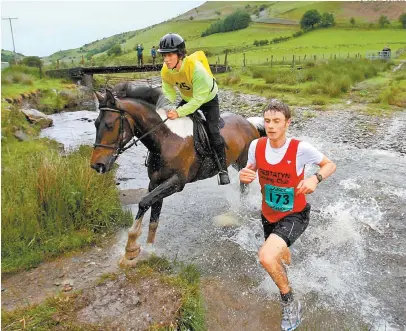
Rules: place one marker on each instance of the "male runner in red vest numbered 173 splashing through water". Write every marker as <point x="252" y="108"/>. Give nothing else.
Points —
<point x="280" y="162"/>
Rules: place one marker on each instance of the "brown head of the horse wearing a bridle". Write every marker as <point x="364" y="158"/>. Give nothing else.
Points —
<point x="114" y="129"/>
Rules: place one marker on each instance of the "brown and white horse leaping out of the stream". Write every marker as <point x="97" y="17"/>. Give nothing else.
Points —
<point x="173" y="161"/>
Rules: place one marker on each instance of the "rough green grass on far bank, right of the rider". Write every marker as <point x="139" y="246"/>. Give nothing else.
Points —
<point x="319" y="83"/>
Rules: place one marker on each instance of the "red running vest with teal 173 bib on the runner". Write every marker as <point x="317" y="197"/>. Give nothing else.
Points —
<point x="279" y="182"/>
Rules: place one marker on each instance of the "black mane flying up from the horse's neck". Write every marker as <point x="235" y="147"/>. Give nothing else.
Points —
<point x="144" y="93"/>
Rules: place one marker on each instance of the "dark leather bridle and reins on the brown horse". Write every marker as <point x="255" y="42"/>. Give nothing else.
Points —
<point x="119" y="146"/>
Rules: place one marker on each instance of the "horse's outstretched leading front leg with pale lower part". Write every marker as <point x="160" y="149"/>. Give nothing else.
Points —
<point x="168" y="187"/>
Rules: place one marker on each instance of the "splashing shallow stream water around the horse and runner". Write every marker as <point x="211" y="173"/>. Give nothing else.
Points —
<point x="349" y="265"/>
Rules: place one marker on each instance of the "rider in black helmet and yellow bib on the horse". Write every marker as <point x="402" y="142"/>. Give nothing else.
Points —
<point x="198" y="90"/>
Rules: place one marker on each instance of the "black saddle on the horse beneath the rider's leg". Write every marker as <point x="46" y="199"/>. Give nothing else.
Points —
<point x="200" y="137"/>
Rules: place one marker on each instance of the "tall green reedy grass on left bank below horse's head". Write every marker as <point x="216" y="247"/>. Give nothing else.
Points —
<point x="52" y="204"/>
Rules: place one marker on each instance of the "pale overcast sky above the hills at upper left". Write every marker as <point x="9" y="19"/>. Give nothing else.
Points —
<point x="45" y="27"/>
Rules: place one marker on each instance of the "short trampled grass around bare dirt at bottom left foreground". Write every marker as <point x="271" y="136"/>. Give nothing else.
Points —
<point x="60" y="312"/>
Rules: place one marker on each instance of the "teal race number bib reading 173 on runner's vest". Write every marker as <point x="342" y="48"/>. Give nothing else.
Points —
<point x="279" y="198"/>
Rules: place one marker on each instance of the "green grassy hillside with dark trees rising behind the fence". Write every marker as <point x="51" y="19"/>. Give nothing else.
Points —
<point x="270" y="20"/>
